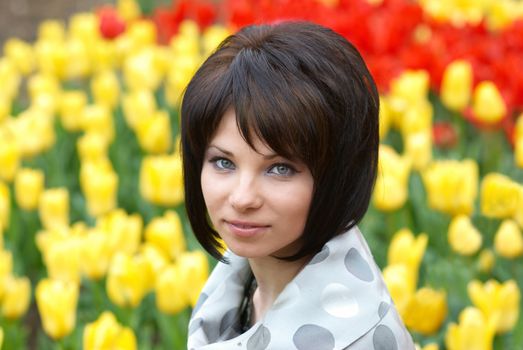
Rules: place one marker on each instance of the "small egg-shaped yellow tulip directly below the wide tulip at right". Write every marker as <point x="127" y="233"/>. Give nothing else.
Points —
<point x="463" y="237"/>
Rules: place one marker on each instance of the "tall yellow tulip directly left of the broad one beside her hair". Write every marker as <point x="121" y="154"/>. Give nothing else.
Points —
<point x="100" y="187"/>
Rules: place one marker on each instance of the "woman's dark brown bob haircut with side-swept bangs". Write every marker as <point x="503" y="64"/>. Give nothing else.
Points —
<point x="305" y="92"/>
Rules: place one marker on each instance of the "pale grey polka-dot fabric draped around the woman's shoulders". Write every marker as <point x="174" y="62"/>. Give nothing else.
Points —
<point x="338" y="301"/>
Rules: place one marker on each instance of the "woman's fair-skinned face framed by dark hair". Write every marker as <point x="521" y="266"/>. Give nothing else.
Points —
<point x="257" y="200"/>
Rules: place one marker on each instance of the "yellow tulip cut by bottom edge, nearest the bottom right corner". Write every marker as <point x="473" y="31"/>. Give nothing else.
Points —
<point x="474" y="332"/>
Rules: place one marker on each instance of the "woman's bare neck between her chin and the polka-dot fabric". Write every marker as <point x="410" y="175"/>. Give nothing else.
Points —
<point x="272" y="275"/>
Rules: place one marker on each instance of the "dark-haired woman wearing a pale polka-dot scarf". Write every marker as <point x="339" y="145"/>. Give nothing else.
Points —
<point x="280" y="148"/>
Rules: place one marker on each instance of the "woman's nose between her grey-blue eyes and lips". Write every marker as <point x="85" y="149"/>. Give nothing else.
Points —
<point x="245" y="194"/>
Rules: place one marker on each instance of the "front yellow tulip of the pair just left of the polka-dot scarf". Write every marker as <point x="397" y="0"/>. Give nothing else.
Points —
<point x="170" y="289"/>
